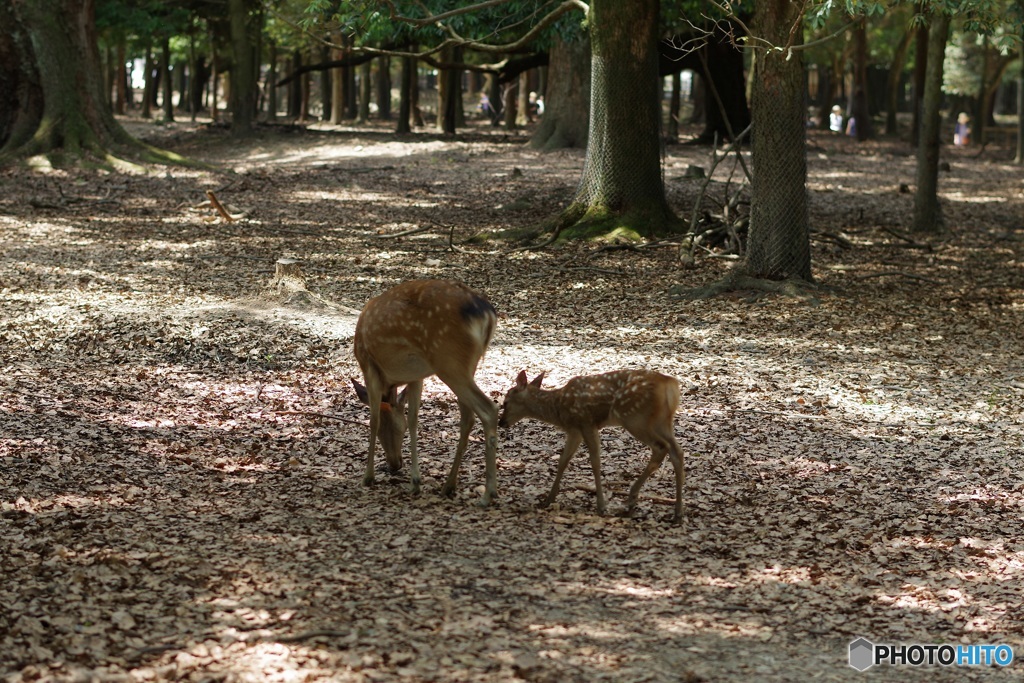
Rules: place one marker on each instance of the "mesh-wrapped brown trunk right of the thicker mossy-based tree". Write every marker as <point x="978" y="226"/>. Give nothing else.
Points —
<point x="779" y="246"/>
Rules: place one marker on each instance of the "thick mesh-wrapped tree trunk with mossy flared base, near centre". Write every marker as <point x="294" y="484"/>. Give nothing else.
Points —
<point x="622" y="187"/>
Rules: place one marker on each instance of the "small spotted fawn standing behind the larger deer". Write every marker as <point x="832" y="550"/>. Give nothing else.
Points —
<point x="643" y="402"/>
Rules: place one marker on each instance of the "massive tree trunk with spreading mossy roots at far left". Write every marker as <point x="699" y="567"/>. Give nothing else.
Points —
<point x="53" y="88"/>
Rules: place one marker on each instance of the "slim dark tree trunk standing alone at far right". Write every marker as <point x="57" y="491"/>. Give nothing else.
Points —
<point x="927" y="212"/>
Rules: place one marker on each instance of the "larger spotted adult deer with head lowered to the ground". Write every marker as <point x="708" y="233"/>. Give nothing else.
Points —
<point x="413" y="331"/>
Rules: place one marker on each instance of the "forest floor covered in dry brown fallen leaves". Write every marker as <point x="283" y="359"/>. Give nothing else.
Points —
<point x="182" y="454"/>
